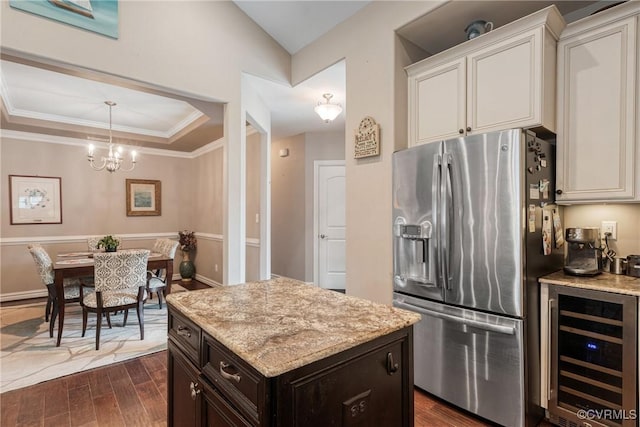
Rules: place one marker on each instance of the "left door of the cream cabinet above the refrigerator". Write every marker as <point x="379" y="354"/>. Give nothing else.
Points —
<point x="437" y="103"/>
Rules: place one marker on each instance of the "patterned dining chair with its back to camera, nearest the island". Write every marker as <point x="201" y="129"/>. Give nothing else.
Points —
<point x="120" y="284"/>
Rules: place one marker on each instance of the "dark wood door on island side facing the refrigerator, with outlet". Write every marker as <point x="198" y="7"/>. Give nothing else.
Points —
<point x="367" y="391"/>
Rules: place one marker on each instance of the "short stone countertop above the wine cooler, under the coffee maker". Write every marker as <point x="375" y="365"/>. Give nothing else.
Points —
<point x="607" y="282"/>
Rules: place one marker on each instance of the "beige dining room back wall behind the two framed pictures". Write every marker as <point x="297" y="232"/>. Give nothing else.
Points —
<point x="93" y="203"/>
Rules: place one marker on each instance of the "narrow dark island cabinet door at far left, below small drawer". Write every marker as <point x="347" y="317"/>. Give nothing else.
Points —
<point x="183" y="389"/>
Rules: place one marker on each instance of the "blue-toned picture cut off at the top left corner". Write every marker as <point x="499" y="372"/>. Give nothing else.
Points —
<point x="99" y="16"/>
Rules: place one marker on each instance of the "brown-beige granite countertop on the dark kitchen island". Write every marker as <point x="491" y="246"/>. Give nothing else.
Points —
<point x="281" y="324"/>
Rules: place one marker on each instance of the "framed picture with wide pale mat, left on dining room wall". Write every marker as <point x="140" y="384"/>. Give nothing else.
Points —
<point x="35" y="199"/>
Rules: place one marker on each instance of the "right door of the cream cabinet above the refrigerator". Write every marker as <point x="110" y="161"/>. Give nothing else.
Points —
<point x="504" y="84"/>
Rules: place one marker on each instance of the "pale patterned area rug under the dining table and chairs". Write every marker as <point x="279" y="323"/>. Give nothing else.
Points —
<point x="28" y="356"/>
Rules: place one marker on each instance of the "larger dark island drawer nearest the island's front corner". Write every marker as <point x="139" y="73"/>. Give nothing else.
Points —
<point x="238" y="382"/>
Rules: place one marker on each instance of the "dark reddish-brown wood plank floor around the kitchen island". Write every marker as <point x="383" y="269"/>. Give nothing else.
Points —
<point x="134" y="393"/>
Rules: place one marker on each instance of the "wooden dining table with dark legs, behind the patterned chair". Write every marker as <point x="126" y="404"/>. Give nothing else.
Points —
<point x="80" y="264"/>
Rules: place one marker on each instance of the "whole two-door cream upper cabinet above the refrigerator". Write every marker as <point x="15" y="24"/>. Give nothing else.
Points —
<point x="500" y="80"/>
